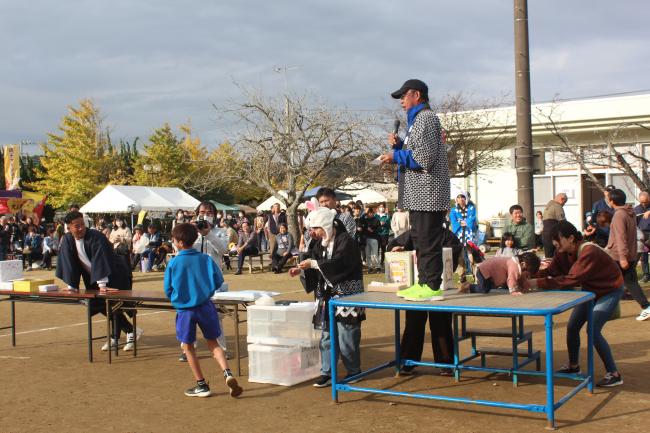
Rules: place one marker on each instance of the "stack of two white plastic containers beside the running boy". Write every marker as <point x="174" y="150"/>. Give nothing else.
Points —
<point x="283" y="347"/>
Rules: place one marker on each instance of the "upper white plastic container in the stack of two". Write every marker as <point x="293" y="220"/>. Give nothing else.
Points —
<point x="283" y="325"/>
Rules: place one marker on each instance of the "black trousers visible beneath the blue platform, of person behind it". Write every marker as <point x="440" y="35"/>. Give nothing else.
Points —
<point x="442" y="340"/>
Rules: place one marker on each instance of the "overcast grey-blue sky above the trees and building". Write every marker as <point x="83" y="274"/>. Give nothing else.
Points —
<point x="147" y="62"/>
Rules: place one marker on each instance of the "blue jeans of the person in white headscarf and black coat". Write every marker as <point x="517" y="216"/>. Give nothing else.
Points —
<point x="348" y="348"/>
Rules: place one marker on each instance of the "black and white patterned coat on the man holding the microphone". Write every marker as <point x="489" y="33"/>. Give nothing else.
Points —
<point x="427" y="189"/>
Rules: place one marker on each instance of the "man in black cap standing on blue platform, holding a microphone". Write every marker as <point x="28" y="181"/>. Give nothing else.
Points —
<point x="422" y="158"/>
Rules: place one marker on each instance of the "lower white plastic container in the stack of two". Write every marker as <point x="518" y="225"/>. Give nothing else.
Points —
<point x="282" y="365"/>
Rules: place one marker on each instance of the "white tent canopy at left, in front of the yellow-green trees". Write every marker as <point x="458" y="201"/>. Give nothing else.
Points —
<point x="132" y="199"/>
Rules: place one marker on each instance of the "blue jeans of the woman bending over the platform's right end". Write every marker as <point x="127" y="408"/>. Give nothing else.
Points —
<point x="603" y="310"/>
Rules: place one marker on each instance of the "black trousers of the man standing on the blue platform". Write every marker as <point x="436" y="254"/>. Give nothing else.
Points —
<point x="427" y="235"/>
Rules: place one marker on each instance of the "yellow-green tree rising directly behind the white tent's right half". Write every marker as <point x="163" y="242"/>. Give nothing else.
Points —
<point x="163" y="162"/>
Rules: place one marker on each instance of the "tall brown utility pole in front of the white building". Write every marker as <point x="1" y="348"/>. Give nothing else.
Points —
<point x="524" y="146"/>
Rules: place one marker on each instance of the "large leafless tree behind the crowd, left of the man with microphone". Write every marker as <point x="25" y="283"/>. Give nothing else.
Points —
<point x="293" y="143"/>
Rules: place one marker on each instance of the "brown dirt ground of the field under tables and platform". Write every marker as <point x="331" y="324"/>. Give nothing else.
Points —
<point x="47" y="384"/>
